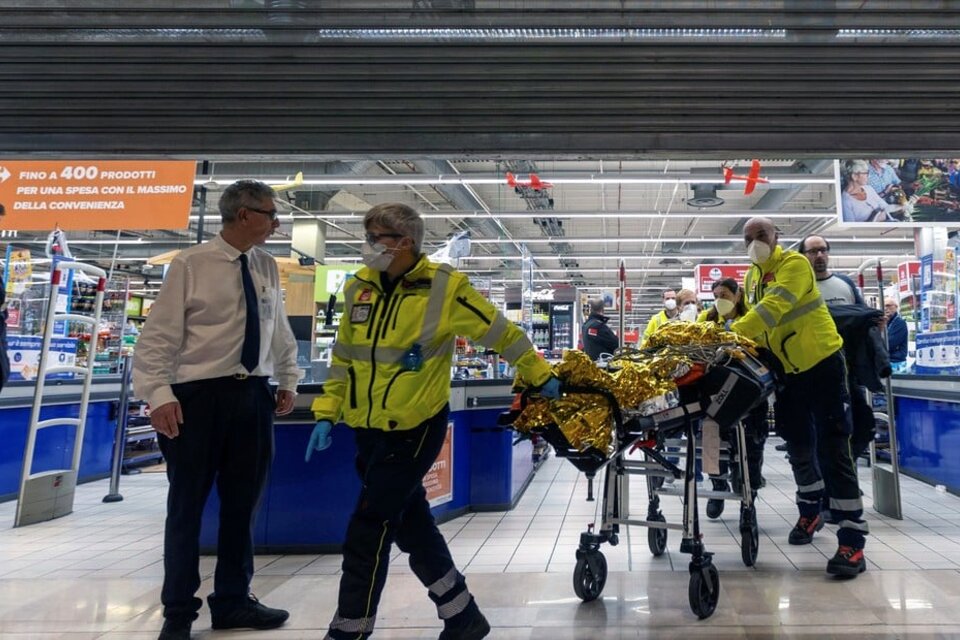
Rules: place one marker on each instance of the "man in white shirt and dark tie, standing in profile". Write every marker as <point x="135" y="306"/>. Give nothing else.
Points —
<point x="216" y="334"/>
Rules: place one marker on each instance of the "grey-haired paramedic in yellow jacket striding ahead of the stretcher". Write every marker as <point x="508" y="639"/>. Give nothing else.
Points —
<point x="390" y="381"/>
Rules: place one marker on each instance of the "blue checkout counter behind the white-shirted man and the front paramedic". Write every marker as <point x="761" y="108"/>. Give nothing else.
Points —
<point x="306" y="506"/>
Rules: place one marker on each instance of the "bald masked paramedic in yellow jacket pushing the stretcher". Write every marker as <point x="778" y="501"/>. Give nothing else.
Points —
<point x="787" y="316"/>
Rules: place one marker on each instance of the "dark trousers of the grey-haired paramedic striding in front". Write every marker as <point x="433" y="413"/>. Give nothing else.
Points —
<point x="393" y="507"/>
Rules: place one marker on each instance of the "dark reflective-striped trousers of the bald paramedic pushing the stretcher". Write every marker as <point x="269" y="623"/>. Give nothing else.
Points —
<point x="813" y="410"/>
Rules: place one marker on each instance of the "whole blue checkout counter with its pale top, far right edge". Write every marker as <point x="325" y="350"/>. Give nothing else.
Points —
<point x="927" y="415"/>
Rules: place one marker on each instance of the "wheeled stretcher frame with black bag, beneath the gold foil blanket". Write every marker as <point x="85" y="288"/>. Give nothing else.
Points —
<point x="730" y="385"/>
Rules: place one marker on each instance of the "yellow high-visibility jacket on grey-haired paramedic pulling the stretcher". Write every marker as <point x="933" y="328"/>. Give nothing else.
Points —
<point x="368" y="384"/>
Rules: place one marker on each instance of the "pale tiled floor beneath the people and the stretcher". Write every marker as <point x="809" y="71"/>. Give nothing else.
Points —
<point x="97" y="572"/>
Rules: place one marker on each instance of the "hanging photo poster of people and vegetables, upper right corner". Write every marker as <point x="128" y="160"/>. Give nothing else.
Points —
<point x="906" y="192"/>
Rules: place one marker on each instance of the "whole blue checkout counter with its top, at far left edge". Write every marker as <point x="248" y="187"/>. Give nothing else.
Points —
<point x="54" y="448"/>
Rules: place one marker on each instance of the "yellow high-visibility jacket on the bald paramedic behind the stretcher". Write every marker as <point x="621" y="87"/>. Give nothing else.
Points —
<point x="786" y="313"/>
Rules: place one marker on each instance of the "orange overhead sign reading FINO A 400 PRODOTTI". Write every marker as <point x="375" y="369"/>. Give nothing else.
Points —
<point x="87" y="195"/>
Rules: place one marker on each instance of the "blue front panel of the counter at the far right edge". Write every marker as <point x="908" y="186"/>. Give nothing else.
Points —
<point x="928" y="436"/>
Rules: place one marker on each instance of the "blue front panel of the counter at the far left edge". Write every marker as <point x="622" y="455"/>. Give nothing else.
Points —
<point x="54" y="448"/>
